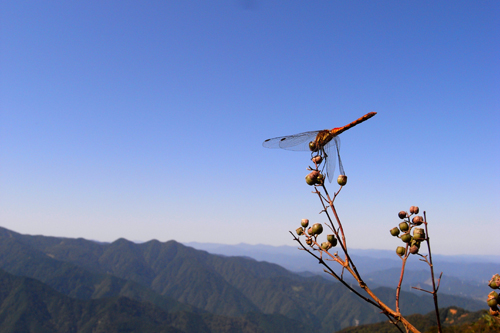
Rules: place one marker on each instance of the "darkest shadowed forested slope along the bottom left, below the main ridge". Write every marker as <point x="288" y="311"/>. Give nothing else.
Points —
<point x="27" y="305"/>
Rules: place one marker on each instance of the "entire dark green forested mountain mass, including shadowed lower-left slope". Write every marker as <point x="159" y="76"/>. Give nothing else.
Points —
<point x="77" y="285"/>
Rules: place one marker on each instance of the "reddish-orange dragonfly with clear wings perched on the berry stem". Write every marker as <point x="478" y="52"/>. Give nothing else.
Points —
<point x="321" y="142"/>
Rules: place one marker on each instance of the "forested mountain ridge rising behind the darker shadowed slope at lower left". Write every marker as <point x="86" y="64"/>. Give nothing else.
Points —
<point x="229" y="286"/>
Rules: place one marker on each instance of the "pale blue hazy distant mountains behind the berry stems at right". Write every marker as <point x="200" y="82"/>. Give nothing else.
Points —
<point x="462" y="275"/>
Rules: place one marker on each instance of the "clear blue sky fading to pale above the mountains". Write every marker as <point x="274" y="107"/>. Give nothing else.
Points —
<point x="145" y="119"/>
